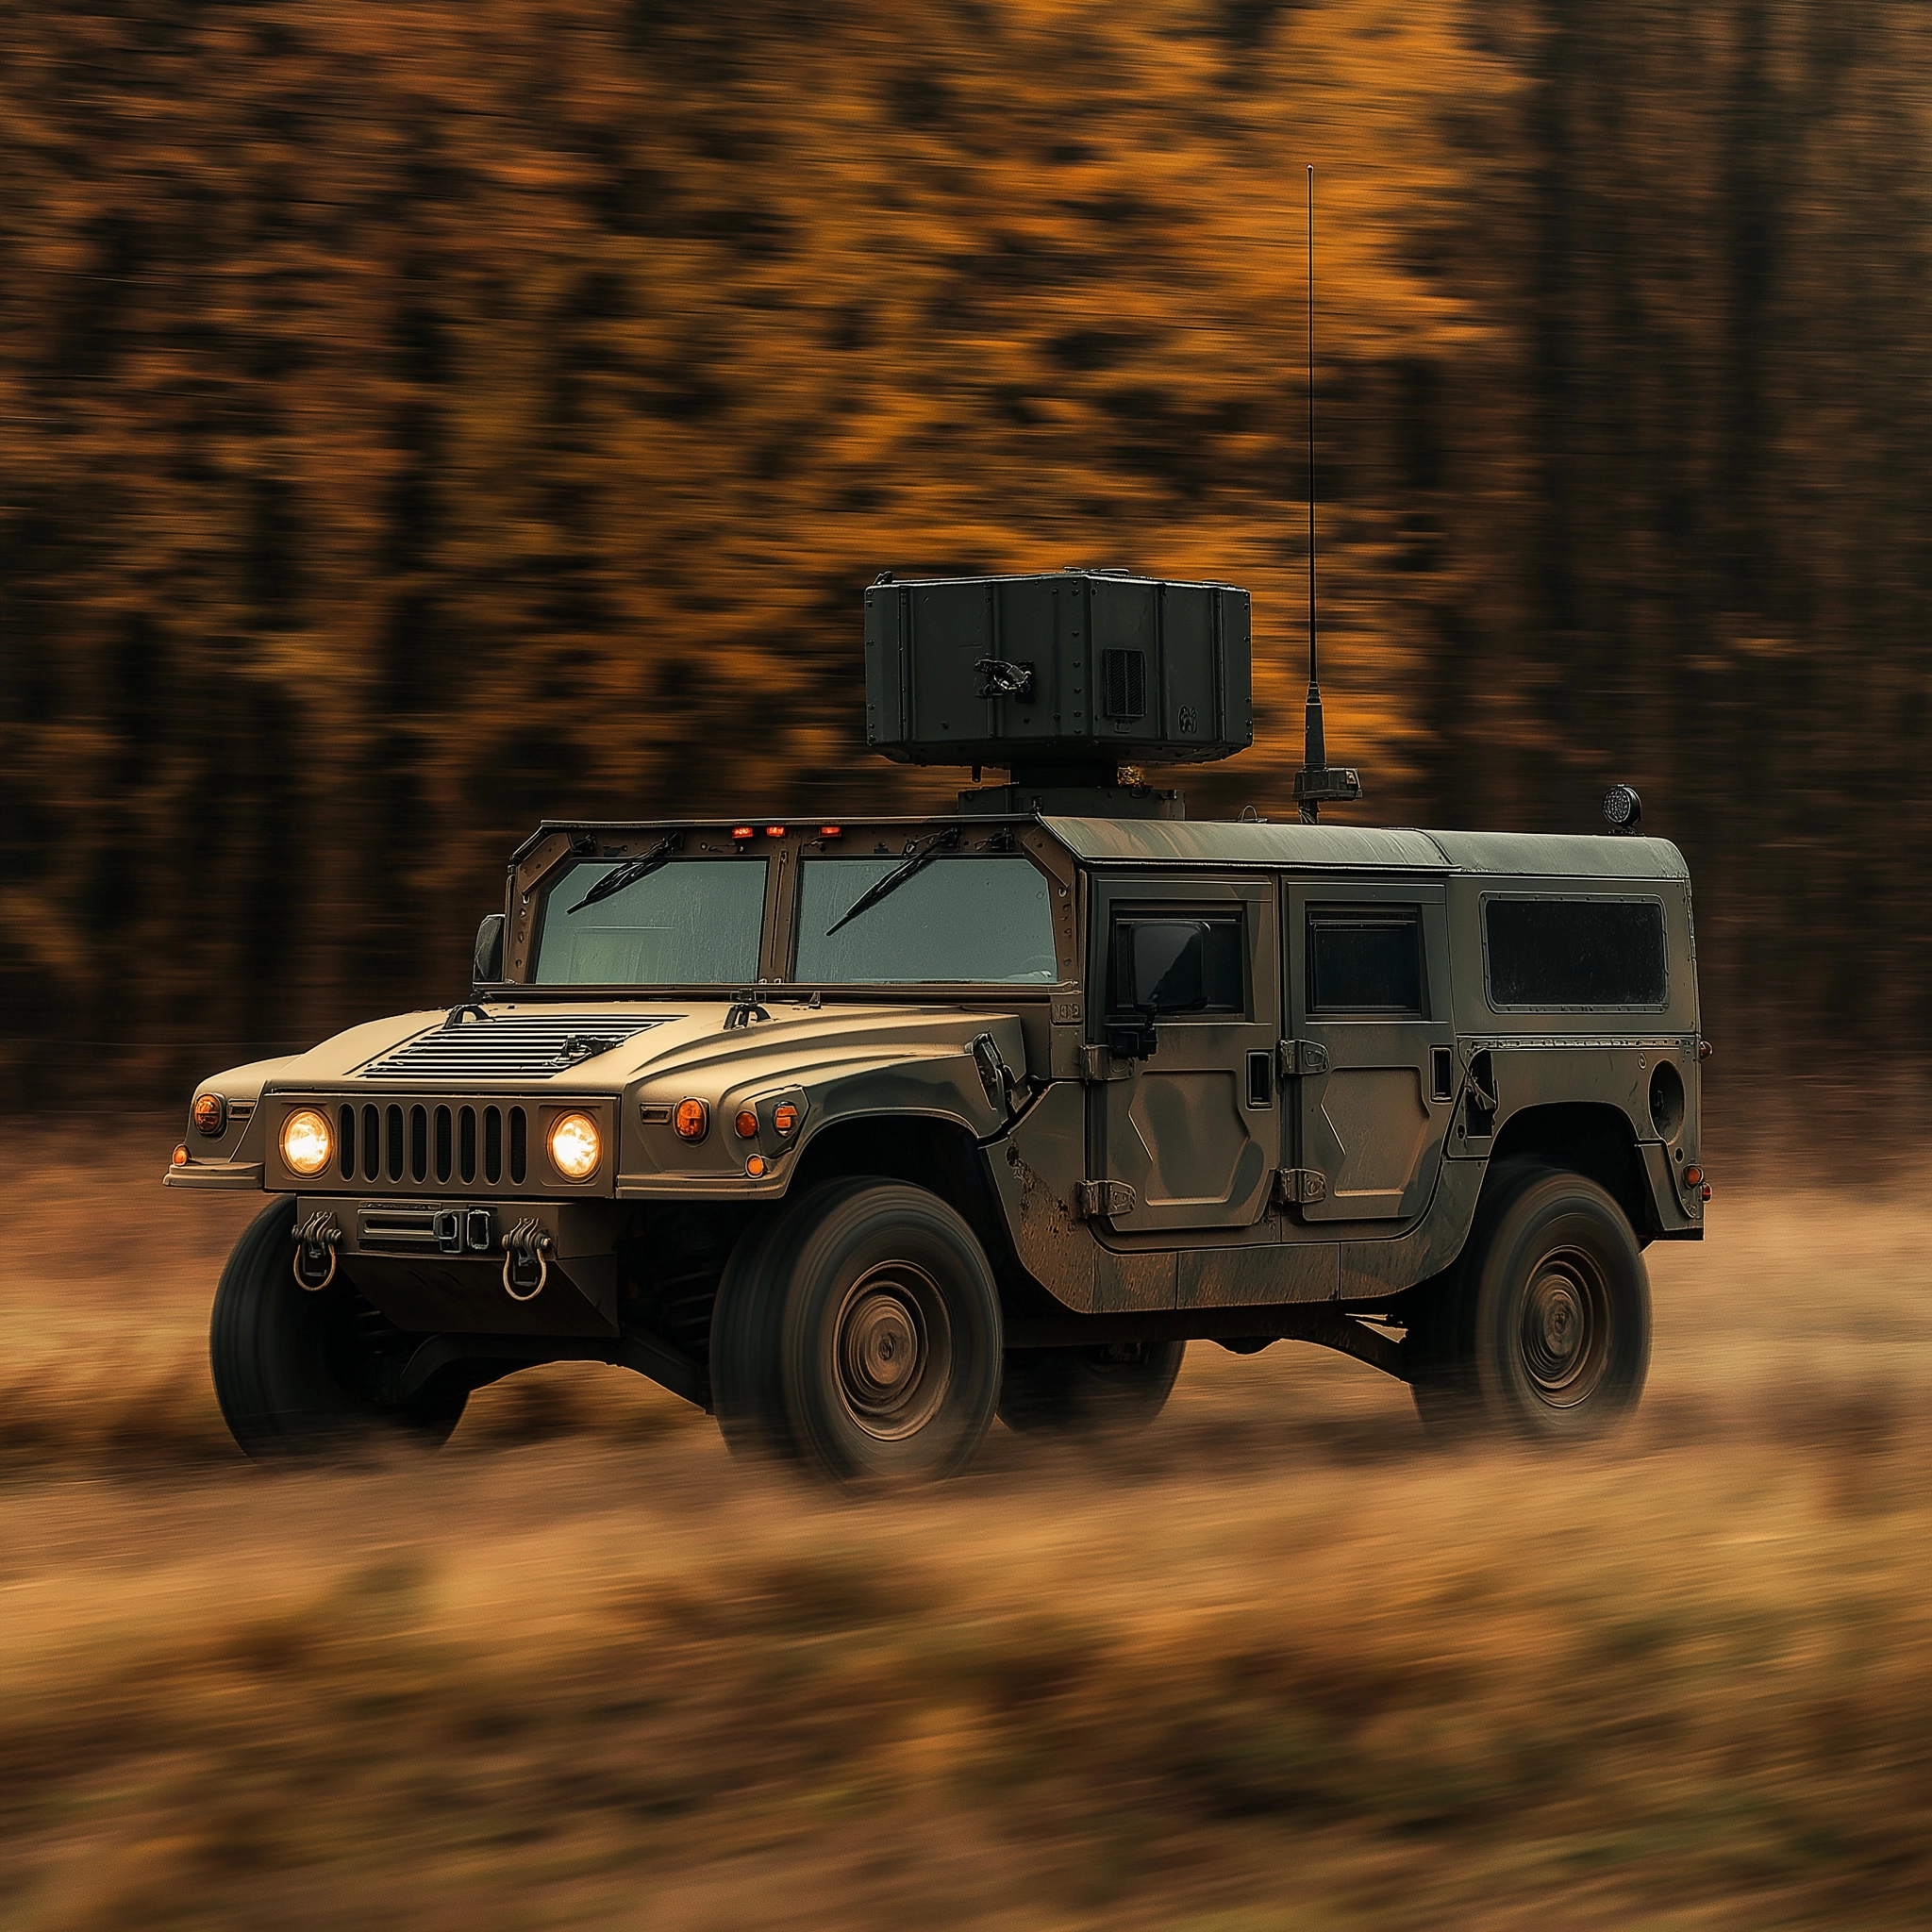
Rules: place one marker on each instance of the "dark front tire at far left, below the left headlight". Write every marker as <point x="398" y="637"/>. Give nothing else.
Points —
<point x="287" y="1361"/>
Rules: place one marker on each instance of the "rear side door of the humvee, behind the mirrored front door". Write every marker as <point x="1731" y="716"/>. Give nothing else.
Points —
<point x="1371" y="1058"/>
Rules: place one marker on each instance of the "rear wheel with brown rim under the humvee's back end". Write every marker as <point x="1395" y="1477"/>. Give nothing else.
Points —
<point x="1547" y="1326"/>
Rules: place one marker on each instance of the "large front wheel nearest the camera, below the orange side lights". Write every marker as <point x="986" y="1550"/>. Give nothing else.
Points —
<point x="859" y="1336"/>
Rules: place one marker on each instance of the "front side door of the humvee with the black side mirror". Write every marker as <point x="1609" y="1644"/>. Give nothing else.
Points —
<point x="1187" y="1120"/>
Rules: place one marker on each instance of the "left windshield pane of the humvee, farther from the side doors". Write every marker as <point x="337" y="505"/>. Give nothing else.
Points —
<point x="693" y="923"/>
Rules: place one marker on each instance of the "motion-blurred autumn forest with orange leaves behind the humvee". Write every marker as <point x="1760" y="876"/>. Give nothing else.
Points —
<point x="424" y="418"/>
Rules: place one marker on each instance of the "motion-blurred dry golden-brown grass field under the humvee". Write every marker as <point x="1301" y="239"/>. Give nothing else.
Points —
<point x="1274" y="1664"/>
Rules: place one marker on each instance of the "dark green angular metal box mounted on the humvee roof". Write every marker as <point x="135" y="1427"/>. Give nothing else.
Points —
<point x="1067" y="673"/>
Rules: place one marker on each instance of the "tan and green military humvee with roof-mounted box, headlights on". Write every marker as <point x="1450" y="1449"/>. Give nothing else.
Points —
<point x="863" y="1131"/>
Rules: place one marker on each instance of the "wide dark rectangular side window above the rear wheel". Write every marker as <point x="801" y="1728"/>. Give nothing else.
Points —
<point x="1576" y="952"/>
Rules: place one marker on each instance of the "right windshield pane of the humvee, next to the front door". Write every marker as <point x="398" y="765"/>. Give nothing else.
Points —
<point x="980" y="921"/>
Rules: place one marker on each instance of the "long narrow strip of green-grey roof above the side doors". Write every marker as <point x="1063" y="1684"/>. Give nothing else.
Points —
<point x="1367" y="847"/>
